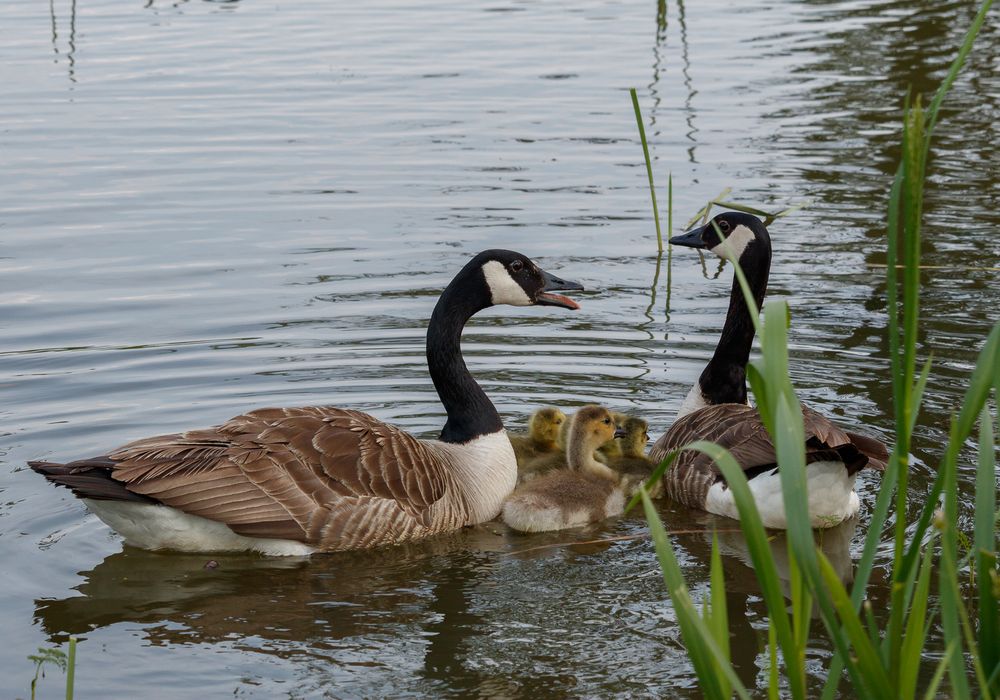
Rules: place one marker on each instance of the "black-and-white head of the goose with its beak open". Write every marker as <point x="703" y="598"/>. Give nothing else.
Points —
<point x="512" y="278"/>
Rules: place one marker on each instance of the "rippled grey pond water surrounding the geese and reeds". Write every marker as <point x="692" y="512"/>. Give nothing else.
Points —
<point x="207" y="207"/>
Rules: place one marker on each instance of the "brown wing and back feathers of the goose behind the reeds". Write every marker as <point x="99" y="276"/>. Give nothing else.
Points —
<point x="739" y="429"/>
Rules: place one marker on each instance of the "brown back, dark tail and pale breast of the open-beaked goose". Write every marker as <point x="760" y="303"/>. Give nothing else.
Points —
<point x="330" y="478"/>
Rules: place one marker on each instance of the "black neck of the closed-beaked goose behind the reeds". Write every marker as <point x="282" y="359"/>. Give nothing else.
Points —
<point x="724" y="378"/>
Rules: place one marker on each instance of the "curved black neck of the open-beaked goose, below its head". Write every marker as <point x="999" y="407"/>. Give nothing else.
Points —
<point x="470" y="412"/>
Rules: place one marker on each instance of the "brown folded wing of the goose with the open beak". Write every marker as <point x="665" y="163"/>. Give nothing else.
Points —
<point x="289" y="473"/>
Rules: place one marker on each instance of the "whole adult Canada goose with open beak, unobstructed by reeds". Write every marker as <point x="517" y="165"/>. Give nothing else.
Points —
<point x="291" y="481"/>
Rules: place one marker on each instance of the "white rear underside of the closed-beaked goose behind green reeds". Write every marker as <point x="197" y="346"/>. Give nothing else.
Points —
<point x="832" y="499"/>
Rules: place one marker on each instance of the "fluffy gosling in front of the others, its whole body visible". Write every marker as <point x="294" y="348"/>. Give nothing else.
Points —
<point x="586" y="492"/>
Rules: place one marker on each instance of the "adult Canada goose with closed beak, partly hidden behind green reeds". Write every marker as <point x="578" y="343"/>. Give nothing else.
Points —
<point x="716" y="408"/>
